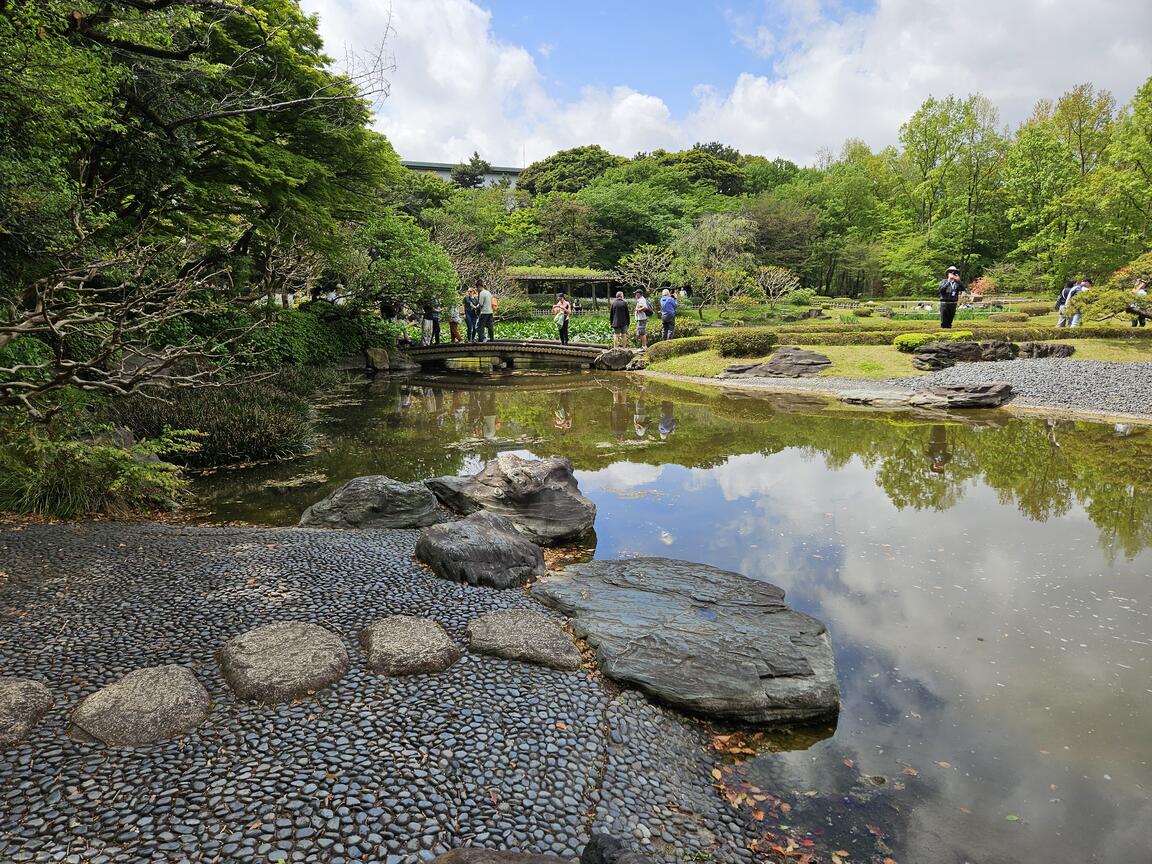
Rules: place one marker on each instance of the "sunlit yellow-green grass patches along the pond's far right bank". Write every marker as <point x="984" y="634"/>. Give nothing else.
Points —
<point x="886" y="362"/>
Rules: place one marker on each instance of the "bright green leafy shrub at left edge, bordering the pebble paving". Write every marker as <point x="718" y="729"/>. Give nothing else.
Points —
<point x="60" y="479"/>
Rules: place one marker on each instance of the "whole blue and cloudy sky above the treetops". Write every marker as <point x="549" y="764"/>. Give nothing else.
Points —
<point x="519" y="80"/>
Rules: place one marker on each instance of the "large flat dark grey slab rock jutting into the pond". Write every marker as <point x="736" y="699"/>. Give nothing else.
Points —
<point x="708" y="641"/>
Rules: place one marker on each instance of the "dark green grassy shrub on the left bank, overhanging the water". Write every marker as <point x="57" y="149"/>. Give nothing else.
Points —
<point x="240" y="423"/>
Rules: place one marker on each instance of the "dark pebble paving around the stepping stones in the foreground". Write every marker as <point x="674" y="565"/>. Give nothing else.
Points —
<point x="492" y="753"/>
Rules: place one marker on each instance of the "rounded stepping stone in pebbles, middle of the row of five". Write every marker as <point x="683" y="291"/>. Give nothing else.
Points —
<point x="283" y="662"/>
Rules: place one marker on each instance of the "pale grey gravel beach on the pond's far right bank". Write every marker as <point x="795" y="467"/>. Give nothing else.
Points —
<point x="1072" y="385"/>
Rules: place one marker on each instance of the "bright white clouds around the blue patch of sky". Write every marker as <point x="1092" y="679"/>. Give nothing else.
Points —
<point x="458" y="88"/>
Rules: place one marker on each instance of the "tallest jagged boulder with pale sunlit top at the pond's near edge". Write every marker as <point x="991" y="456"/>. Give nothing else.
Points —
<point x="540" y="497"/>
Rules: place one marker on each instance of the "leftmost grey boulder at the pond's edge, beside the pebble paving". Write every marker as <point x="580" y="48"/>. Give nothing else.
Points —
<point x="375" y="502"/>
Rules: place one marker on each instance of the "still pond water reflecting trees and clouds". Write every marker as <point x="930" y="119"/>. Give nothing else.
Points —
<point x="987" y="582"/>
